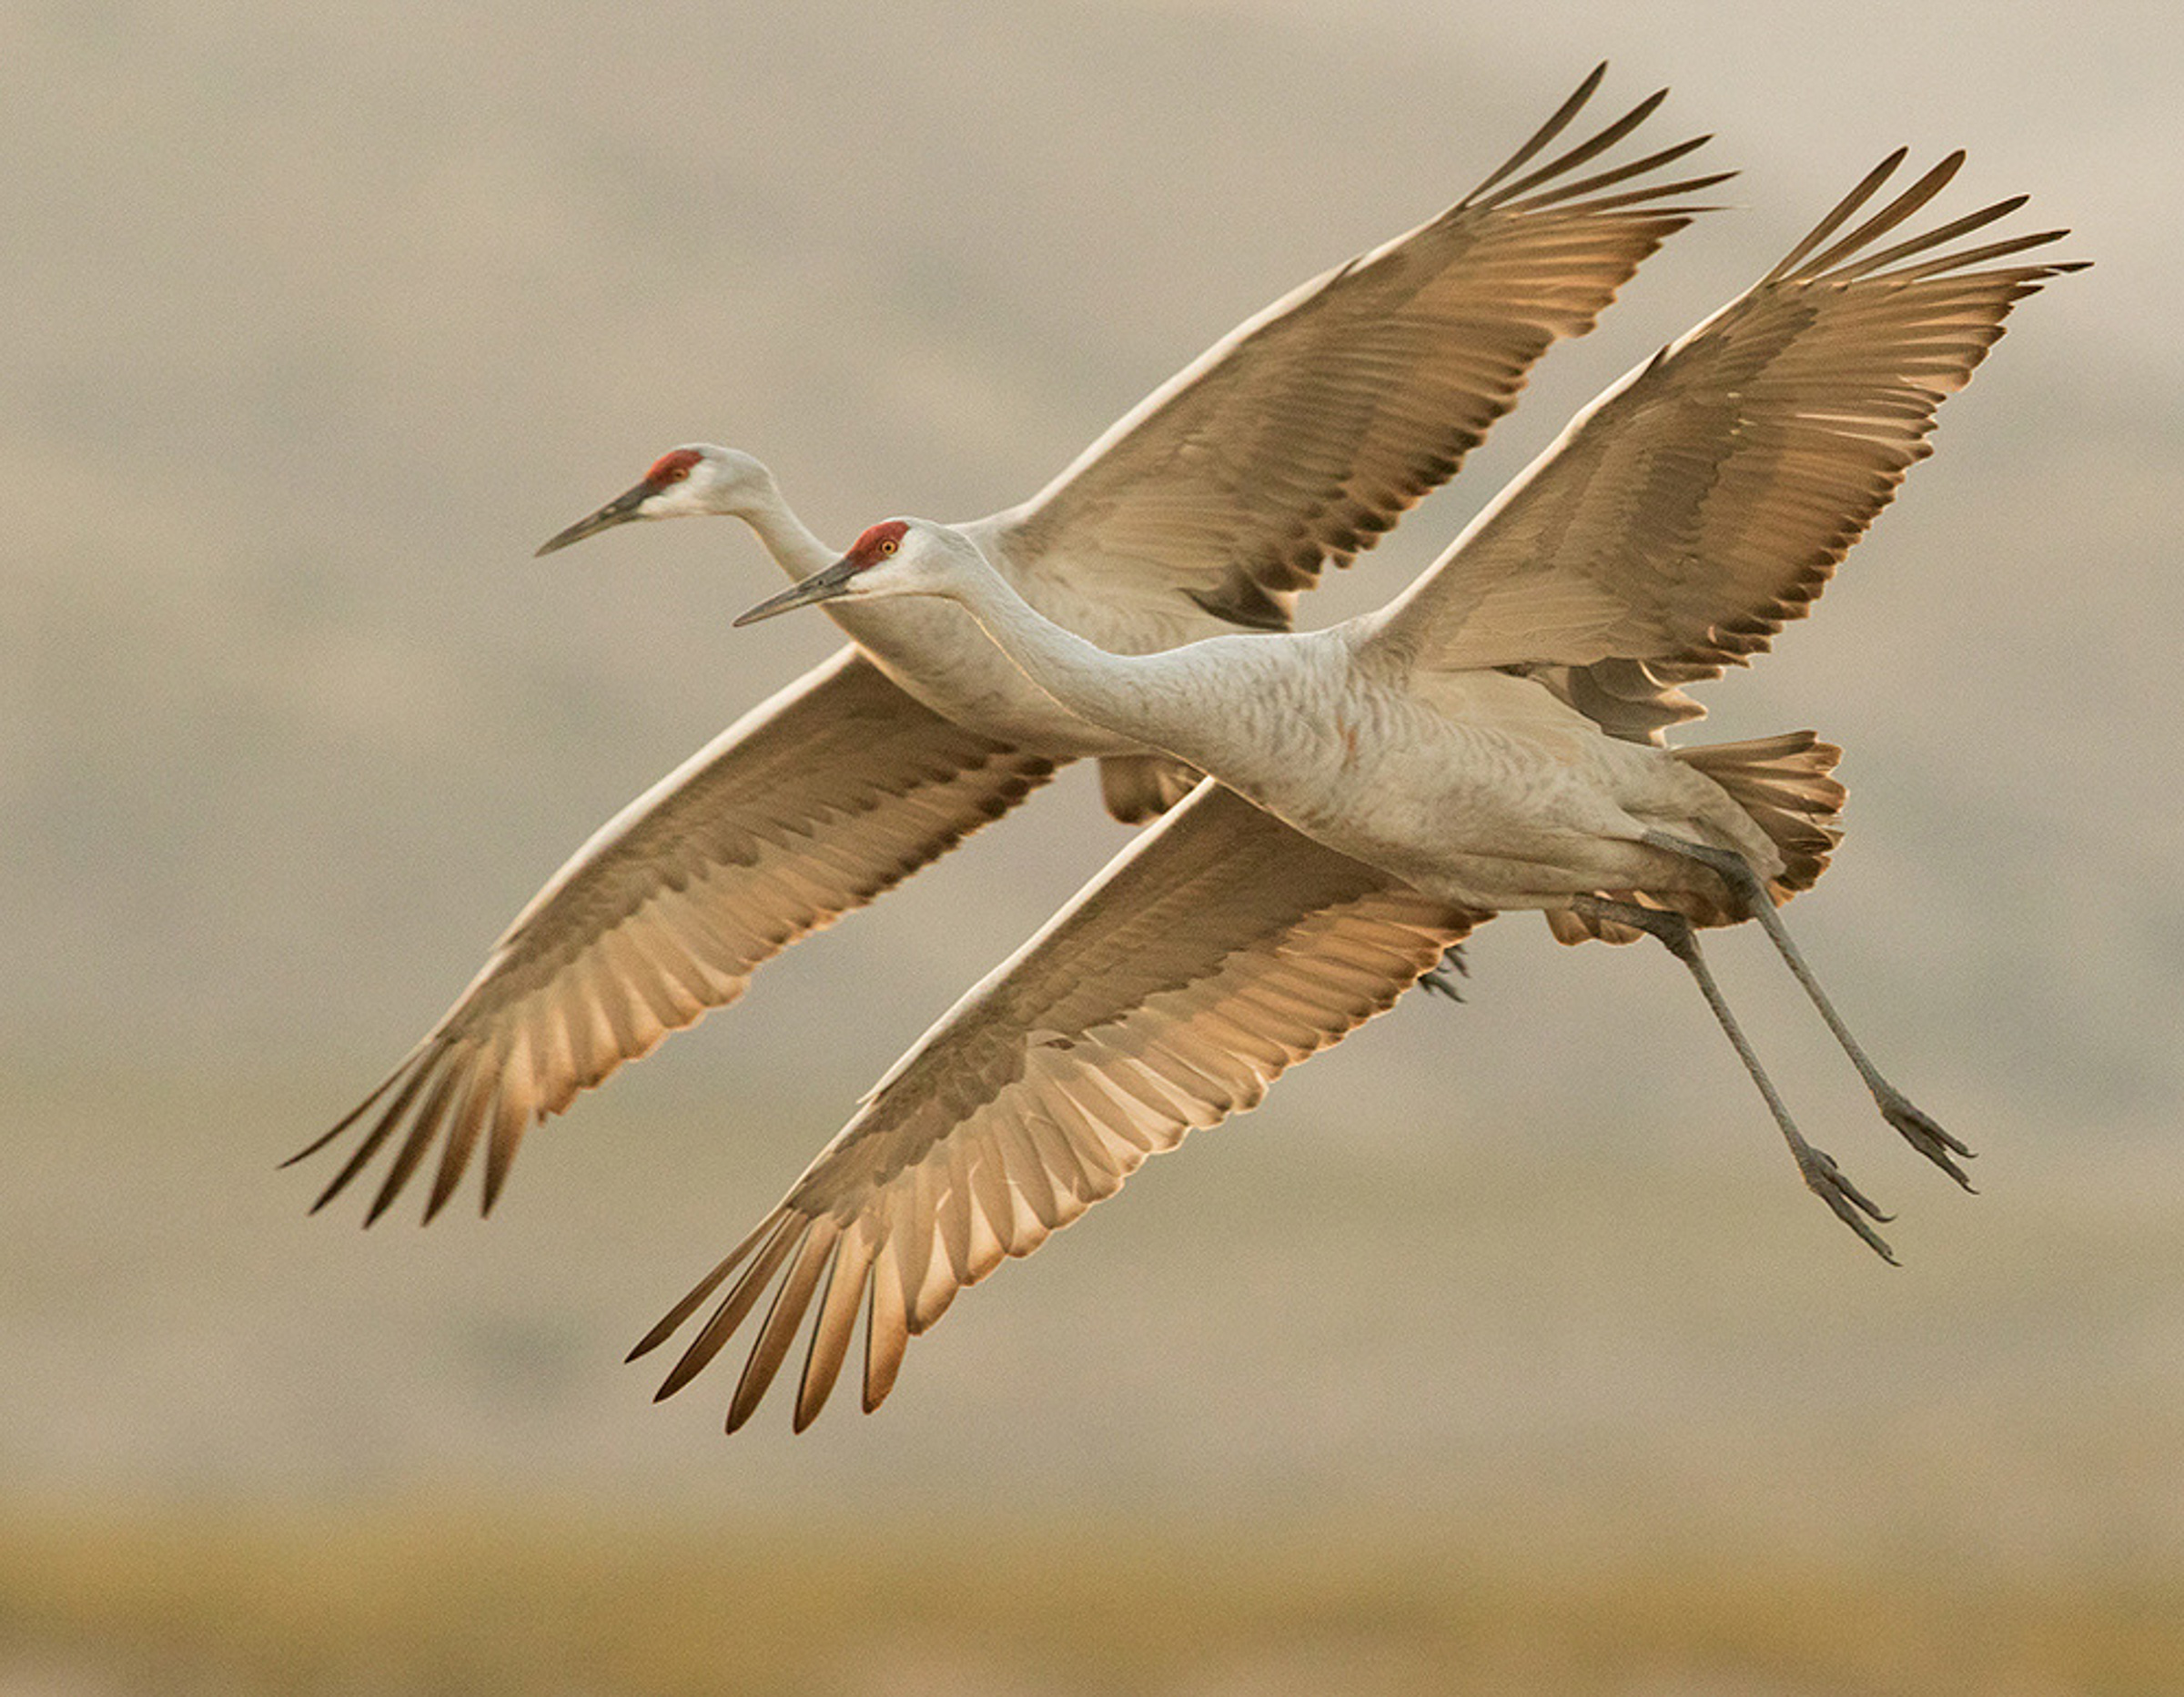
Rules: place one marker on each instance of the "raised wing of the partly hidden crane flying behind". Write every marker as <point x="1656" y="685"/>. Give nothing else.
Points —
<point x="1314" y="427"/>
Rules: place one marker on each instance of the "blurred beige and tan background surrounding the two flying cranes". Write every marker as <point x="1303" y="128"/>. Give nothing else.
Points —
<point x="1501" y="1351"/>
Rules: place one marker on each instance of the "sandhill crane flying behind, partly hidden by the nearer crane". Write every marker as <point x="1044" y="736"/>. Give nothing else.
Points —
<point x="1290" y="444"/>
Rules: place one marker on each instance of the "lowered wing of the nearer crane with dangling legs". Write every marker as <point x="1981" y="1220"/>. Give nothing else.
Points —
<point x="1213" y="953"/>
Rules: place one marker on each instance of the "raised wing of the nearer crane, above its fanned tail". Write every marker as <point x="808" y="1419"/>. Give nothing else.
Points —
<point x="1707" y="499"/>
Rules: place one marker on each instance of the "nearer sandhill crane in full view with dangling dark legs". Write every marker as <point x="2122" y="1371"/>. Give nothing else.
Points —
<point x="1488" y="741"/>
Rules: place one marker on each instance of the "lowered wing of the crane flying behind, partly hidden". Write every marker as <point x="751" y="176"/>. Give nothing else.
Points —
<point x="805" y="809"/>
